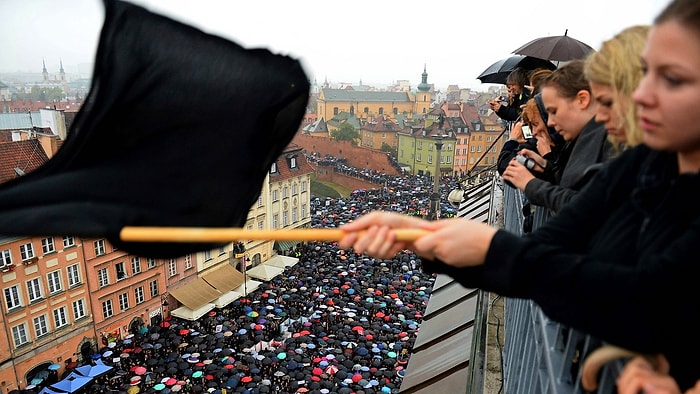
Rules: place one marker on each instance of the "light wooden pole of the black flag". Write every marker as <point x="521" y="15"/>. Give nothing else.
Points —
<point x="227" y="234"/>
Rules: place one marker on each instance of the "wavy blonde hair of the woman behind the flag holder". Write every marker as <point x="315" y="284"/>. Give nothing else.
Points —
<point x="617" y="65"/>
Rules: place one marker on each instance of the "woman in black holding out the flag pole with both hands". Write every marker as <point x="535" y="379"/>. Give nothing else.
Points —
<point x="619" y="261"/>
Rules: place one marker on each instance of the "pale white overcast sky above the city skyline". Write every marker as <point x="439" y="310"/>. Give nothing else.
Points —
<point x="375" y="41"/>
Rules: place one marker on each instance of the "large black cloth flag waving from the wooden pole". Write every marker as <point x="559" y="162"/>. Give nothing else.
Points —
<point x="179" y="129"/>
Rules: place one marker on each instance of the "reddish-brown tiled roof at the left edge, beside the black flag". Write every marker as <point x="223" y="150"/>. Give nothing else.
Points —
<point x="26" y="156"/>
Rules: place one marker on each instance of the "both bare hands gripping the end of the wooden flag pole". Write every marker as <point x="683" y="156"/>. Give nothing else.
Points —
<point x="458" y="242"/>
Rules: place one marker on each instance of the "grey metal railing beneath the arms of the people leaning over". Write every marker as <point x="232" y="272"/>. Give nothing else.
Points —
<point x="540" y="355"/>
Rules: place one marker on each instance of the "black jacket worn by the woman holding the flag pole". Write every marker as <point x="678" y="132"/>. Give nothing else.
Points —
<point x="618" y="262"/>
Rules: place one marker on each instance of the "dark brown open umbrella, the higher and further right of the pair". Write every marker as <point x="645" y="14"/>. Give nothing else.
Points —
<point x="557" y="48"/>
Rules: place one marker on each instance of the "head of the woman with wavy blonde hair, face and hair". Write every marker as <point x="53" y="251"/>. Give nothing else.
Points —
<point x="614" y="72"/>
